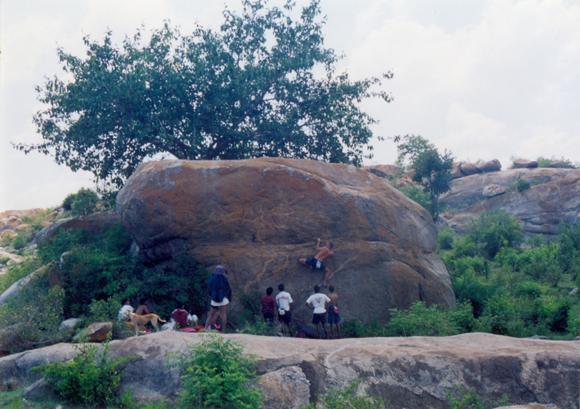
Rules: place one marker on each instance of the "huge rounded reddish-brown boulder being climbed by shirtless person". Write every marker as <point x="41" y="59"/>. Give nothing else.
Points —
<point x="259" y="216"/>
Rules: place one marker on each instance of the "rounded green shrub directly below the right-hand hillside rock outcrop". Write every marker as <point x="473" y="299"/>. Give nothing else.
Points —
<point x="494" y="230"/>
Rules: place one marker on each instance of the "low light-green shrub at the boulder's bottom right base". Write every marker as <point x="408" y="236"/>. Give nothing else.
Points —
<point x="421" y="319"/>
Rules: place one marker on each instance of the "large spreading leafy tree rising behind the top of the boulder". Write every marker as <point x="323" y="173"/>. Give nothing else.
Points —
<point x="263" y="84"/>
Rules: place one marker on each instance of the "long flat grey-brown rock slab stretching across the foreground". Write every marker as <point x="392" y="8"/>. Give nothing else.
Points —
<point x="412" y="373"/>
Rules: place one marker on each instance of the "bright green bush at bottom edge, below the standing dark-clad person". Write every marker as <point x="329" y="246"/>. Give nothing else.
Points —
<point x="216" y="374"/>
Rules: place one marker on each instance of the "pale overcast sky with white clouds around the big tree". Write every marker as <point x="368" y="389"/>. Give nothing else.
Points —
<point x="483" y="78"/>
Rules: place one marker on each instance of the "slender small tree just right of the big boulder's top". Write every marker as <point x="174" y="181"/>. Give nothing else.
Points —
<point x="430" y="168"/>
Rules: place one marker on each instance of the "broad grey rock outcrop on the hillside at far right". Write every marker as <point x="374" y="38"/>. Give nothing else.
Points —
<point x="552" y="199"/>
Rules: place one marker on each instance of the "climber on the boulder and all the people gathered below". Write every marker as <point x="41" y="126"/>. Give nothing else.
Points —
<point x="325" y="307"/>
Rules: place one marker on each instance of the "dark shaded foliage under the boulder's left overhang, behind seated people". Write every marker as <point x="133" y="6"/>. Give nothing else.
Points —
<point x="99" y="266"/>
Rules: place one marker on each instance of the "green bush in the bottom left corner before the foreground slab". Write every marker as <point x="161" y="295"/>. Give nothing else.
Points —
<point x="91" y="378"/>
